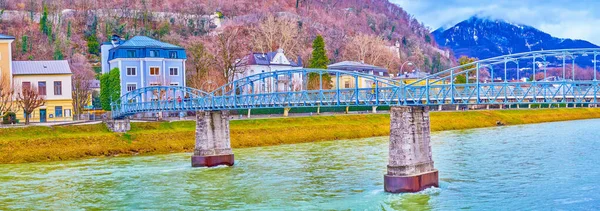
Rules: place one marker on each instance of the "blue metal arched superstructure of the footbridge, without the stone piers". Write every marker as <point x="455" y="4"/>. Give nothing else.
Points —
<point x="484" y="82"/>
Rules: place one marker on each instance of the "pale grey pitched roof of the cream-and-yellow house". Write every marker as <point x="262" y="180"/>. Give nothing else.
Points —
<point x="41" y="67"/>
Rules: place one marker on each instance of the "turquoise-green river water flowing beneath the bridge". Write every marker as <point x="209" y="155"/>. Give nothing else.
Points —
<point x="531" y="167"/>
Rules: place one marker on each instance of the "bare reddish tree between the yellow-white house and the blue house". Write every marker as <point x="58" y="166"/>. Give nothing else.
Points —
<point x="81" y="79"/>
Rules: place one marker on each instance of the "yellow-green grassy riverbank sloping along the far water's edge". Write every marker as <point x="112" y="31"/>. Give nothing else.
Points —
<point x="34" y="144"/>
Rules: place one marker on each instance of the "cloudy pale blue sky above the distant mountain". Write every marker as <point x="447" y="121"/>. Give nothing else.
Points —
<point x="576" y="19"/>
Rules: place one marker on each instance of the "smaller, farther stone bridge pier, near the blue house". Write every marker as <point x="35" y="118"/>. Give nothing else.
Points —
<point x="213" y="146"/>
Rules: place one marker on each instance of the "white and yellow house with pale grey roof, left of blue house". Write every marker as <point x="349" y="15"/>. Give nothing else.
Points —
<point x="52" y="80"/>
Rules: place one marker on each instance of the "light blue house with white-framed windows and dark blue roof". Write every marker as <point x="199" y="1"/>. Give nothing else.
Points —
<point x="144" y="62"/>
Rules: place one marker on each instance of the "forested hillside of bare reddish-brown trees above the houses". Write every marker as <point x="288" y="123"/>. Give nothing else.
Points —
<point x="217" y="33"/>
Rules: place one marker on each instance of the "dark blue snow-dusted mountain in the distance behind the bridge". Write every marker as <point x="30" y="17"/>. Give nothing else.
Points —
<point x="484" y="38"/>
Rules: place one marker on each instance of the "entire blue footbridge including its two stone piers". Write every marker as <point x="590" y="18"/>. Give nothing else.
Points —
<point x="551" y="77"/>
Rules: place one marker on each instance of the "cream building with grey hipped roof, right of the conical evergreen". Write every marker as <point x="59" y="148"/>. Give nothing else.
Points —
<point x="347" y="81"/>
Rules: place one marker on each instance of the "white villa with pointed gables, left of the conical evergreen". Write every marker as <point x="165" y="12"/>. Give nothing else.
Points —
<point x="257" y="63"/>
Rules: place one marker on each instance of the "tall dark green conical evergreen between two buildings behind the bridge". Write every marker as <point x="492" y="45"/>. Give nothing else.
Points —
<point x="319" y="60"/>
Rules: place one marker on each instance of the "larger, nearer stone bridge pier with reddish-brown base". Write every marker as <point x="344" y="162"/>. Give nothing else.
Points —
<point x="410" y="167"/>
